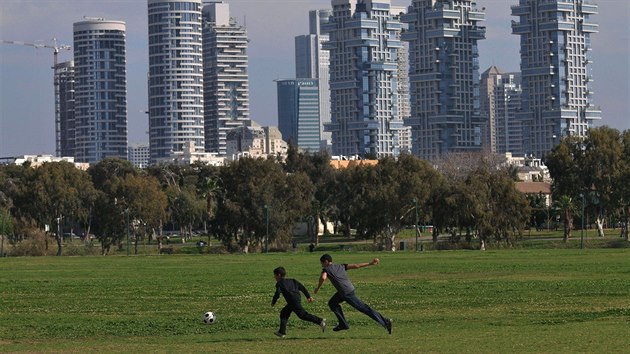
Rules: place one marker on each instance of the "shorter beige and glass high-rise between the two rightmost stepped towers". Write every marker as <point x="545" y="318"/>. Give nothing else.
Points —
<point x="500" y="100"/>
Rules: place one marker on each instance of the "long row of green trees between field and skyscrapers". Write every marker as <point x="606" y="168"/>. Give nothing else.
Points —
<point x="252" y="205"/>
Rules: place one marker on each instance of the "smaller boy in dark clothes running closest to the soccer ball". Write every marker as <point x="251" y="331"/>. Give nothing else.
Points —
<point x="290" y="289"/>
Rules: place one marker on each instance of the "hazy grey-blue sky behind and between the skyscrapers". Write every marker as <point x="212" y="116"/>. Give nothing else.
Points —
<point x="26" y="78"/>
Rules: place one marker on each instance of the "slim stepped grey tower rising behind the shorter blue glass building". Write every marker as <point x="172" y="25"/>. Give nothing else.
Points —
<point x="312" y="62"/>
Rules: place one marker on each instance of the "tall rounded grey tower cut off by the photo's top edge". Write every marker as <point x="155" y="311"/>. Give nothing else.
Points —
<point x="175" y="77"/>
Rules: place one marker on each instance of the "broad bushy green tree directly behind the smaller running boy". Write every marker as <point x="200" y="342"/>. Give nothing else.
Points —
<point x="255" y="191"/>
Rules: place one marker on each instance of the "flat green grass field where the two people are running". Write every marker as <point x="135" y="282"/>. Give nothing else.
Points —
<point x="506" y="301"/>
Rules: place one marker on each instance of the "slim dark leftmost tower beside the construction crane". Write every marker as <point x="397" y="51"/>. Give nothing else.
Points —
<point x="64" y="104"/>
